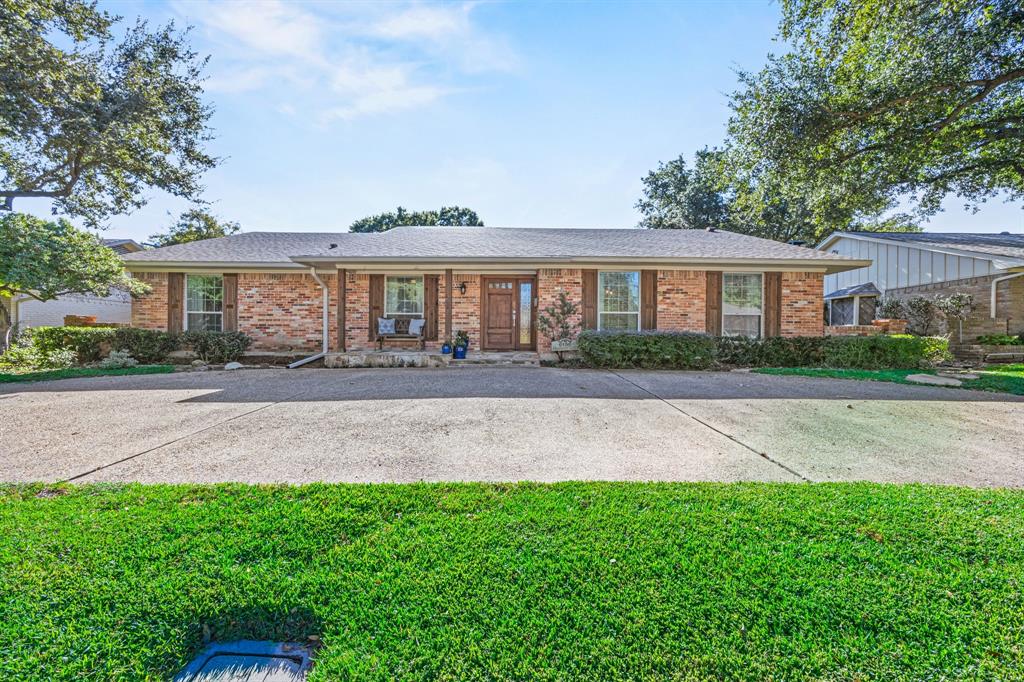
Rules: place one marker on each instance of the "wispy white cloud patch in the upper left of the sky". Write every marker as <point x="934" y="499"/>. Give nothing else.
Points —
<point x="344" y="62"/>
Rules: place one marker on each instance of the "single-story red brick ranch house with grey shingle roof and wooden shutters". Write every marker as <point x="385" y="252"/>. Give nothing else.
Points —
<point x="286" y="290"/>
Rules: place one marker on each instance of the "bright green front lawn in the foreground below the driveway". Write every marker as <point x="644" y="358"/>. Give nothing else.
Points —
<point x="476" y="582"/>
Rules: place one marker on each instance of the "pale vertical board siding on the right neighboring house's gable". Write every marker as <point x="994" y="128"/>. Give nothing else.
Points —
<point x="895" y="267"/>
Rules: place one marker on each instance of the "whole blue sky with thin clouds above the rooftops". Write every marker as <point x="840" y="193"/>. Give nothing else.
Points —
<point x="532" y="114"/>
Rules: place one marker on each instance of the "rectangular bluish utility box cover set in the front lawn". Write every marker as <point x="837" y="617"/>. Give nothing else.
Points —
<point x="248" y="661"/>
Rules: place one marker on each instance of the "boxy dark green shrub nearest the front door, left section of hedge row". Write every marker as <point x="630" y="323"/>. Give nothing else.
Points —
<point x="659" y="351"/>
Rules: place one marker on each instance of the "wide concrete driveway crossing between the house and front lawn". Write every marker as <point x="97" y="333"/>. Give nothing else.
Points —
<point x="504" y="424"/>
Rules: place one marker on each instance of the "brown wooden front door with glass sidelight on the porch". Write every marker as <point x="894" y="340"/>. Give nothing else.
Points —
<point x="508" y="313"/>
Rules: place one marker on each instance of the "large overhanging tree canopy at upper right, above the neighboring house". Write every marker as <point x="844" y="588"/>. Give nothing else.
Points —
<point x="882" y="105"/>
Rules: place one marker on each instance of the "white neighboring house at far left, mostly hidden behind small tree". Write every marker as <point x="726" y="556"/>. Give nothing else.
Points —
<point x="115" y="309"/>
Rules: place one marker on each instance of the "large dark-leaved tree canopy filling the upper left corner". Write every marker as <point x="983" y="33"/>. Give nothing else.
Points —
<point x="91" y="120"/>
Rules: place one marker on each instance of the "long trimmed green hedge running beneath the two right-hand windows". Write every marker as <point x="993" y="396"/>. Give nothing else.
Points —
<point x="700" y="352"/>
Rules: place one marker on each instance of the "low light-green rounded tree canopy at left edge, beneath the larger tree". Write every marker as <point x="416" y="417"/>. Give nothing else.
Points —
<point x="46" y="260"/>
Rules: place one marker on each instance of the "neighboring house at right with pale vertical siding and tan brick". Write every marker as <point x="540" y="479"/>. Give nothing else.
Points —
<point x="991" y="268"/>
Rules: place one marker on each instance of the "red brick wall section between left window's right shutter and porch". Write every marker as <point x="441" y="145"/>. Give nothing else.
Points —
<point x="283" y="312"/>
